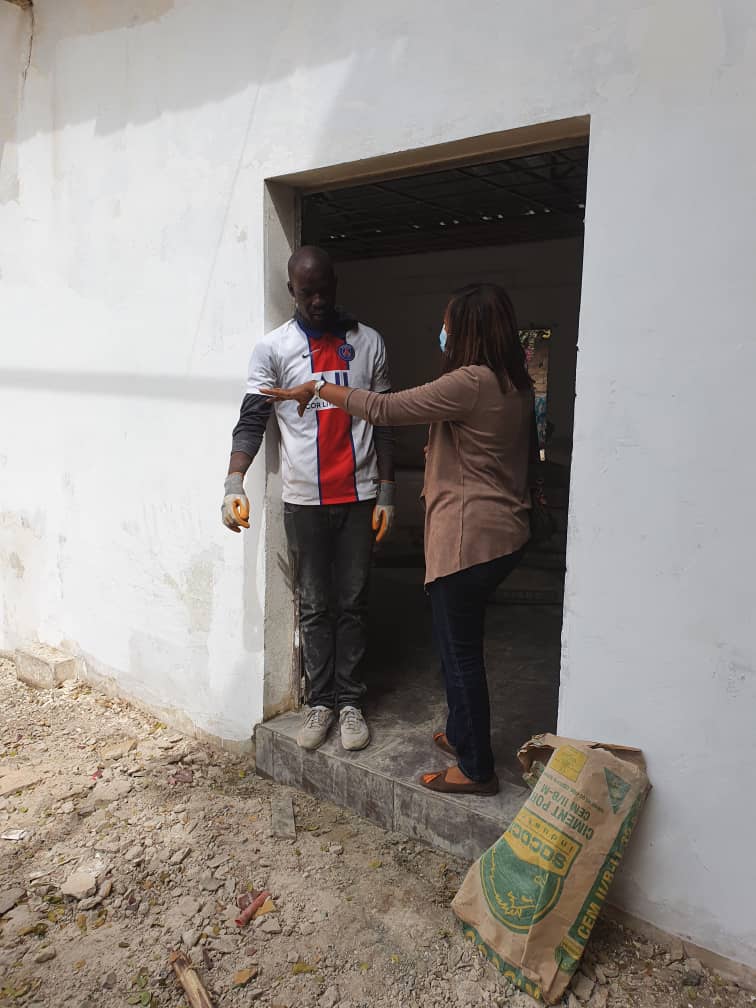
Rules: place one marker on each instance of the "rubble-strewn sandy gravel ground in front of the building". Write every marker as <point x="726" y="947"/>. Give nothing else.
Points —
<point x="138" y="842"/>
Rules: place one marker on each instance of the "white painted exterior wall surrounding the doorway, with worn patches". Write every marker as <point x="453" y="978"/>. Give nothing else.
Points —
<point x="134" y="288"/>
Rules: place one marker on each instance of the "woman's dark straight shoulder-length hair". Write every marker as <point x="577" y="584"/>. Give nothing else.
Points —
<point x="482" y="329"/>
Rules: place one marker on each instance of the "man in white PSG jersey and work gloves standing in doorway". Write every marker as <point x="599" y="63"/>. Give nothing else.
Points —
<point x="338" y="486"/>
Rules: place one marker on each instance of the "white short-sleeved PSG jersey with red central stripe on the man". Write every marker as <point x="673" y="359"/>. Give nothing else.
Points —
<point x="327" y="456"/>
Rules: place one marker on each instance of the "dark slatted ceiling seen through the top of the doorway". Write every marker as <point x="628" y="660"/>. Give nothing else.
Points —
<point x="536" y="198"/>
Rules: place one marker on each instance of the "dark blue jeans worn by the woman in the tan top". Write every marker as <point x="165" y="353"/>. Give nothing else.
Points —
<point x="459" y="607"/>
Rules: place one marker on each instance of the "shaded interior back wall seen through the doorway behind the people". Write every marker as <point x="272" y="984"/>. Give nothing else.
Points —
<point x="405" y="298"/>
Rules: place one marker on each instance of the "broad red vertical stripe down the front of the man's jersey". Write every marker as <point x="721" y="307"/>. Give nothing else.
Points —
<point x="336" y="452"/>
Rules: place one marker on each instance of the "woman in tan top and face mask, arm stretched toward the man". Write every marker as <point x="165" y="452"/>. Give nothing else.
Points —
<point x="477" y="500"/>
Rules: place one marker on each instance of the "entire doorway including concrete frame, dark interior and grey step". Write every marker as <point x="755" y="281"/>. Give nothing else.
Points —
<point x="406" y="230"/>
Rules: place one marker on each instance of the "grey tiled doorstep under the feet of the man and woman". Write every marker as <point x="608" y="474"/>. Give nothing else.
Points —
<point x="380" y="785"/>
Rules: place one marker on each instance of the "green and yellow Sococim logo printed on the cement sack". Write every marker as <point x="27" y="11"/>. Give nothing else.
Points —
<point x="523" y="875"/>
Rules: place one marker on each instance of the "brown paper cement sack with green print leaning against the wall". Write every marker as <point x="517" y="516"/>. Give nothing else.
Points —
<point x="532" y="901"/>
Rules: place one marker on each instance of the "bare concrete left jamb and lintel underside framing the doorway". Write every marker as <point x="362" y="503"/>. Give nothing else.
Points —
<point x="282" y="666"/>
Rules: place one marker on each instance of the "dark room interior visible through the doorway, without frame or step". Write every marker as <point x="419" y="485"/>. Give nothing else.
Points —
<point x="402" y="246"/>
